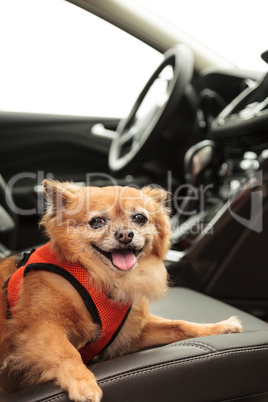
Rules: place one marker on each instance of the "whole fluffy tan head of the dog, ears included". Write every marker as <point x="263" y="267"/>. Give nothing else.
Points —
<point x="112" y="231"/>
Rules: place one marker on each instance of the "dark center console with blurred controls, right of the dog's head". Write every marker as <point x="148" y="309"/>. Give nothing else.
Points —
<point x="222" y="248"/>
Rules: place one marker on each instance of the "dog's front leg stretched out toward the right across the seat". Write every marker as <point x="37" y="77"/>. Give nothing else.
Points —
<point x="160" y="331"/>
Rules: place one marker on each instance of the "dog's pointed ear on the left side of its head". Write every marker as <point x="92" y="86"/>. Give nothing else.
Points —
<point x="59" y="195"/>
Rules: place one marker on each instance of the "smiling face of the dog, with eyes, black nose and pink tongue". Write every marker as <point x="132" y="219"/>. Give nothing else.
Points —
<point x="119" y="236"/>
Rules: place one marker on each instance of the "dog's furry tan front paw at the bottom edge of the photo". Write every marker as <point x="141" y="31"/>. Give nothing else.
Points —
<point x="85" y="391"/>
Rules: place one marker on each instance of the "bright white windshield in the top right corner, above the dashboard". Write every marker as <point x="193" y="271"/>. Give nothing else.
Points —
<point x="235" y="29"/>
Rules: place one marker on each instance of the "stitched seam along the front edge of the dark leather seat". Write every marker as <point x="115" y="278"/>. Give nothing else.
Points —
<point x="170" y="364"/>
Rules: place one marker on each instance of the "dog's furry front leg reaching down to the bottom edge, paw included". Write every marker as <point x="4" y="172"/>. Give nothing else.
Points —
<point x="48" y="353"/>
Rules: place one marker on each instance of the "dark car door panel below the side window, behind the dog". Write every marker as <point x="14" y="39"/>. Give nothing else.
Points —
<point x="35" y="146"/>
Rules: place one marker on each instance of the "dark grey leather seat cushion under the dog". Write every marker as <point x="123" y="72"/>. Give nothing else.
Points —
<point x="215" y="368"/>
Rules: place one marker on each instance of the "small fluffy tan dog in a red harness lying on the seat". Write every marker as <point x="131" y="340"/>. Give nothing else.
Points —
<point x="85" y="294"/>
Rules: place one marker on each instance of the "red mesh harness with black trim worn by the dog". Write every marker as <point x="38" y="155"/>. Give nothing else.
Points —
<point x="109" y="315"/>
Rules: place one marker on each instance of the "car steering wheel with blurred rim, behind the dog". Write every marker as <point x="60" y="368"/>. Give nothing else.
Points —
<point x="152" y="109"/>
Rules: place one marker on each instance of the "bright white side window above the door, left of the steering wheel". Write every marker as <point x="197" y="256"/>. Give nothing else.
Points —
<point x="58" y="58"/>
